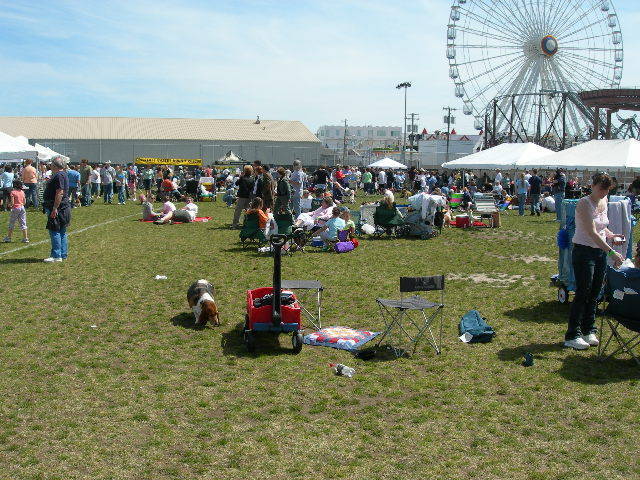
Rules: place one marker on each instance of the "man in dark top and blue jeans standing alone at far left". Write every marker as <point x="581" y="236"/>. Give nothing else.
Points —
<point x="58" y="211"/>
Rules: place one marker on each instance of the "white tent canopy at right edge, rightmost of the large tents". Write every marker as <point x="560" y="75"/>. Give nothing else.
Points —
<point x="595" y="155"/>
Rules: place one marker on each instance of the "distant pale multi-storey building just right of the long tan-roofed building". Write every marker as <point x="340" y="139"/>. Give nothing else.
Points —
<point x="360" y="138"/>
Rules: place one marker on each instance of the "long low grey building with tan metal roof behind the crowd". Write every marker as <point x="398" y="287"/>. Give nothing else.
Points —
<point x="123" y="139"/>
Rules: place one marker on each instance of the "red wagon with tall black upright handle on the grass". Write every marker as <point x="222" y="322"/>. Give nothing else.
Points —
<point x="271" y="315"/>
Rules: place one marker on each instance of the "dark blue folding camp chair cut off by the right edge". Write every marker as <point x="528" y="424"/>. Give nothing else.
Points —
<point x="622" y="290"/>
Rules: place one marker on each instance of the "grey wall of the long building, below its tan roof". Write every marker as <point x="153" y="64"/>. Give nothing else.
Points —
<point x="126" y="151"/>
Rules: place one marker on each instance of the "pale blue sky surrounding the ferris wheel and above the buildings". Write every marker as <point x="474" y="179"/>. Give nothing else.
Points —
<point x="315" y="61"/>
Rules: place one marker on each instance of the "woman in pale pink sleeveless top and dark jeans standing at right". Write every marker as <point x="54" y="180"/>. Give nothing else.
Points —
<point x="589" y="260"/>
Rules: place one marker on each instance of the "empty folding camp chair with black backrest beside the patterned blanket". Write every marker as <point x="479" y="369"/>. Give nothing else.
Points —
<point x="411" y="327"/>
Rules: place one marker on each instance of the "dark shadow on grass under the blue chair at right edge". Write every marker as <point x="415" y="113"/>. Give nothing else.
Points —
<point x="593" y="370"/>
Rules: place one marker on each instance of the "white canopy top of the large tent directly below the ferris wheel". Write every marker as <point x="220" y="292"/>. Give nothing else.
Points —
<point x="505" y="155"/>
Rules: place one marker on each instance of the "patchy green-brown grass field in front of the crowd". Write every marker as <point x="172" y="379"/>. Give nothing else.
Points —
<point x="103" y="376"/>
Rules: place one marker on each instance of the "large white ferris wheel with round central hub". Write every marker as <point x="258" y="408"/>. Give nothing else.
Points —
<point x="522" y="51"/>
